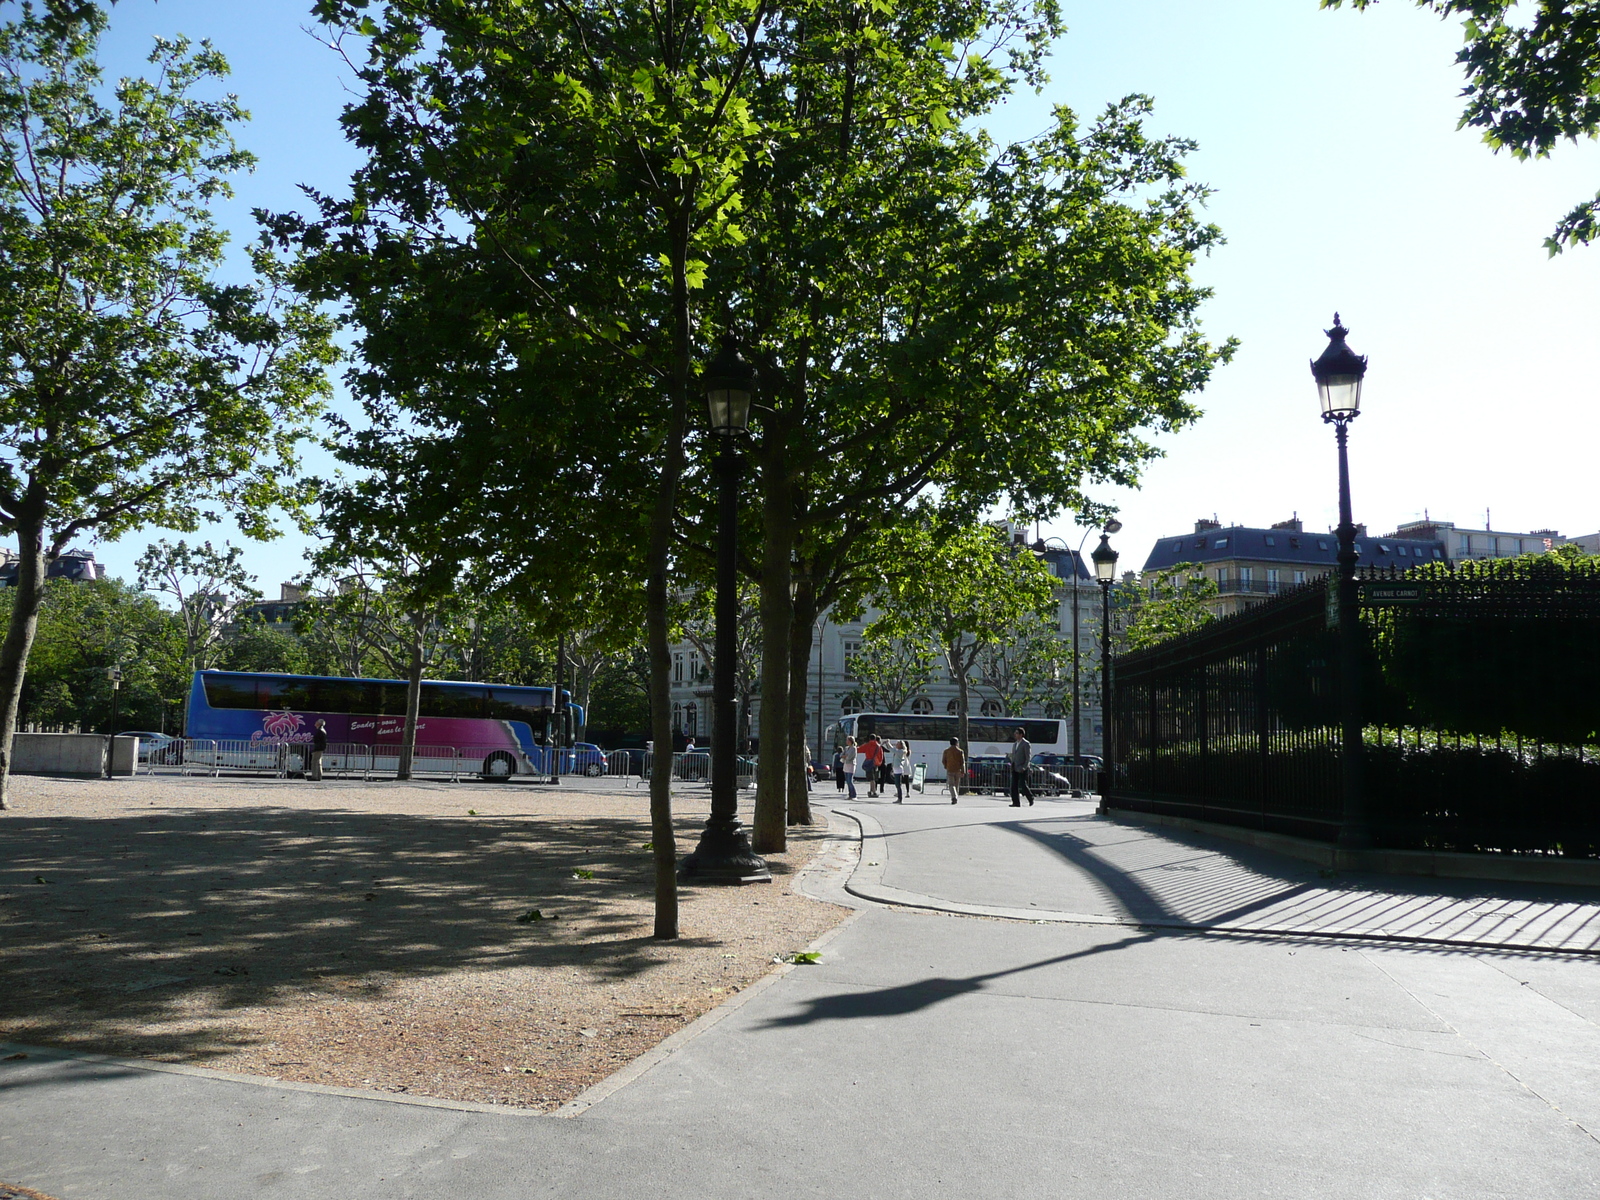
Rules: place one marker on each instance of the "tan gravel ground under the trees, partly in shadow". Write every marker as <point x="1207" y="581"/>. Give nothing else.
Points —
<point x="367" y="934"/>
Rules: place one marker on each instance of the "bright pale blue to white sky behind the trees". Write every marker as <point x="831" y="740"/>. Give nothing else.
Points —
<point x="1342" y="183"/>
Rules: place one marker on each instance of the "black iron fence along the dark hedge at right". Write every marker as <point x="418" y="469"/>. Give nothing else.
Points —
<point x="1479" y="703"/>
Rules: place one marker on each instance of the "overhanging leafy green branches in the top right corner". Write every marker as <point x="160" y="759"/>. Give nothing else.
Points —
<point x="1534" y="81"/>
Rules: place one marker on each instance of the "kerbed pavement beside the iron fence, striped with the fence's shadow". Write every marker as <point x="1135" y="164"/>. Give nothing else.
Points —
<point x="1058" y="862"/>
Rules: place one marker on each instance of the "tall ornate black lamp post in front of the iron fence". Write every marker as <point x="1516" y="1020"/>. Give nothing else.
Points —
<point x="1340" y="374"/>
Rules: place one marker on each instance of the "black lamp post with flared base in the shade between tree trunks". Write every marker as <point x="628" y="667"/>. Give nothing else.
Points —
<point x="724" y="854"/>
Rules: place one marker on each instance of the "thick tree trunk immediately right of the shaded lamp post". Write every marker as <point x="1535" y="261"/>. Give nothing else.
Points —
<point x="772" y="806"/>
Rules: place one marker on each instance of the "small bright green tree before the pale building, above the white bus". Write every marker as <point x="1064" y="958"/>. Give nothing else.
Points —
<point x="970" y="590"/>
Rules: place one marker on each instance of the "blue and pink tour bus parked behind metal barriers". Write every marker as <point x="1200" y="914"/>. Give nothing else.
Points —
<point x="500" y="730"/>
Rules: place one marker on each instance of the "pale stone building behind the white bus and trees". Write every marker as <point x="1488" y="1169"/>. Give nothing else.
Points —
<point x="834" y="692"/>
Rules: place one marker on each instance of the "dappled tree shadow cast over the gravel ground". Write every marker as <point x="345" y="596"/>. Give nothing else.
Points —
<point x="143" y="921"/>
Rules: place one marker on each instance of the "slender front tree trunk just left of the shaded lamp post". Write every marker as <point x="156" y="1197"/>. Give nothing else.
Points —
<point x="657" y="625"/>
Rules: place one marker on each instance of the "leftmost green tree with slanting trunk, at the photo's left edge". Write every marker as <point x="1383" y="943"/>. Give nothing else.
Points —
<point x="137" y="390"/>
